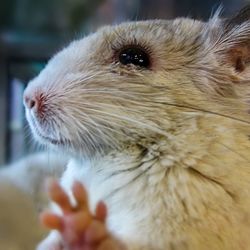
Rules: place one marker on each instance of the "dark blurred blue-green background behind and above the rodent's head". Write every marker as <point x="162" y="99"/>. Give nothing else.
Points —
<point x="31" y="31"/>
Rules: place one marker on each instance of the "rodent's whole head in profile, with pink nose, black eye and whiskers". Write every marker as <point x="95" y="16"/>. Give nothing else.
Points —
<point x="140" y="80"/>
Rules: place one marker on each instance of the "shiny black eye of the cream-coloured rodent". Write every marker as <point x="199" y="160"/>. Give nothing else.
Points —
<point x="135" y="56"/>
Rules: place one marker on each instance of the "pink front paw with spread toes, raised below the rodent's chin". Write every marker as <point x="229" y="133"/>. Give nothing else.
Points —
<point x="79" y="229"/>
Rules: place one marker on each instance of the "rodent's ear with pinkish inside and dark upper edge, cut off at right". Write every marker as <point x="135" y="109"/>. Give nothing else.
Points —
<point x="232" y="42"/>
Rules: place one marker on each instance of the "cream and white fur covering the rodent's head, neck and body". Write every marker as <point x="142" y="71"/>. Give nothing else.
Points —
<point x="166" y="148"/>
